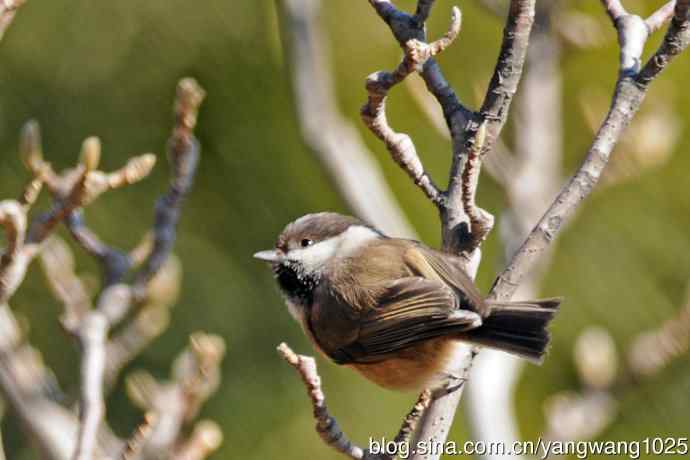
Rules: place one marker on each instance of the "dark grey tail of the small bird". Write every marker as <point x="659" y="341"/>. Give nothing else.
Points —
<point x="518" y="328"/>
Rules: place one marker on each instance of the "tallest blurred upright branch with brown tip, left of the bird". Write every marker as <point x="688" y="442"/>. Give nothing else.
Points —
<point x="116" y="299"/>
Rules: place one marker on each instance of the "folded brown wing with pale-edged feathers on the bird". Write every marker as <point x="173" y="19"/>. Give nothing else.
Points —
<point x="409" y="310"/>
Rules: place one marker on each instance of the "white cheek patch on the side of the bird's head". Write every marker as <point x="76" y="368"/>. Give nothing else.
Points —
<point x="317" y="255"/>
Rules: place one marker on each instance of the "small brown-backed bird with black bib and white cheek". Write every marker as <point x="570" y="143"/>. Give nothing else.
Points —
<point x="394" y="309"/>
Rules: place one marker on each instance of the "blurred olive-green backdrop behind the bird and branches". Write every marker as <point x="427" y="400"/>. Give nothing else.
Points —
<point x="109" y="69"/>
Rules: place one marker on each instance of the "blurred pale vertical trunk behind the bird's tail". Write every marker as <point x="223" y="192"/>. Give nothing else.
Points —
<point x="532" y="179"/>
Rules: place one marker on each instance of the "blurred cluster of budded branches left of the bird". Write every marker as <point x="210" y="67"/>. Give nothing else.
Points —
<point x="28" y="385"/>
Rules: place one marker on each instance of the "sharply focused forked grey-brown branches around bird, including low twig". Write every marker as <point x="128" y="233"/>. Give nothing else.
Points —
<point x="474" y="135"/>
